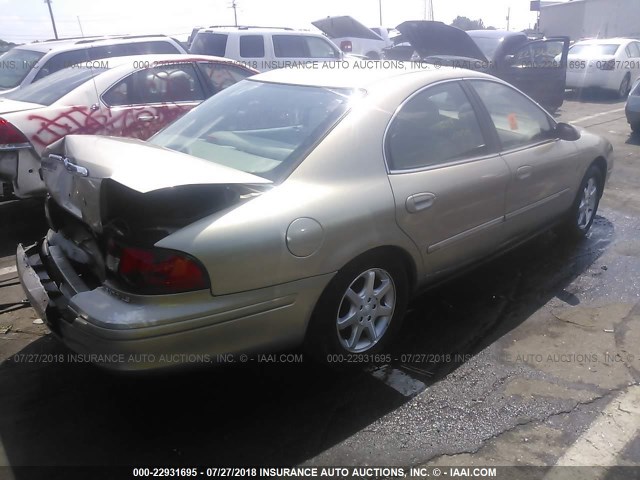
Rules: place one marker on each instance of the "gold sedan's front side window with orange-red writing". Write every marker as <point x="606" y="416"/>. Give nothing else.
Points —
<point x="517" y="119"/>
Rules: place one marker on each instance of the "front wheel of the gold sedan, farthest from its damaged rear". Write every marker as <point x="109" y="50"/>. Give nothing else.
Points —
<point x="585" y="206"/>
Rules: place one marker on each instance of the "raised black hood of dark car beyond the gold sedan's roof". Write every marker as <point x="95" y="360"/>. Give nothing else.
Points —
<point x="431" y="39"/>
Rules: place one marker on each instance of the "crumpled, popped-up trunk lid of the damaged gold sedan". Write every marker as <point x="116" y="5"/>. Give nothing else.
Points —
<point x="137" y="188"/>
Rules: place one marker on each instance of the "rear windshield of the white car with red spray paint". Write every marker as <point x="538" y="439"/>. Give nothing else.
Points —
<point x="54" y="86"/>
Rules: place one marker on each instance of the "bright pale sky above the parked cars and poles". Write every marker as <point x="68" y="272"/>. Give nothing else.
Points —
<point x="26" y="20"/>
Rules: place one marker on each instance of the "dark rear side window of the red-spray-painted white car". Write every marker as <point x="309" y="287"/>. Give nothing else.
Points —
<point x="167" y="83"/>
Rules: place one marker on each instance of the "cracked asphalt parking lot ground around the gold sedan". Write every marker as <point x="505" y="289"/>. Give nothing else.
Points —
<point x="531" y="359"/>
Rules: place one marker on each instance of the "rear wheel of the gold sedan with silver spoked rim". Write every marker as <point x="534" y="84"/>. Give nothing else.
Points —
<point x="326" y="343"/>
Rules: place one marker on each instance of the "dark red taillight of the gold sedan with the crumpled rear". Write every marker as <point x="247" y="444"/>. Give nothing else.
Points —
<point x="158" y="271"/>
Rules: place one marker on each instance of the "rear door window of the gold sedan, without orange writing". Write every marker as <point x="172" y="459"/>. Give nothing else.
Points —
<point x="435" y="126"/>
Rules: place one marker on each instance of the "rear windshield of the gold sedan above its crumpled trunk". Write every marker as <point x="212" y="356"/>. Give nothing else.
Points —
<point x="259" y="128"/>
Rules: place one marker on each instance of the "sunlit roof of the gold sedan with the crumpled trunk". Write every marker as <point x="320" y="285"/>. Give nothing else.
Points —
<point x="360" y="77"/>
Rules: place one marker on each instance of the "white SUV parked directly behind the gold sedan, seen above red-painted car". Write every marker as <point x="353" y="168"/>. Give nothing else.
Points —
<point x="264" y="48"/>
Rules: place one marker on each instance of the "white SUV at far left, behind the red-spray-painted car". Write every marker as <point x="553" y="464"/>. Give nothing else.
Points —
<point x="28" y="63"/>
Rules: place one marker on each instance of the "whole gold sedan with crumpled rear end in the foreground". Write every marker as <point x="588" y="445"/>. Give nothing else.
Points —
<point x="298" y="206"/>
